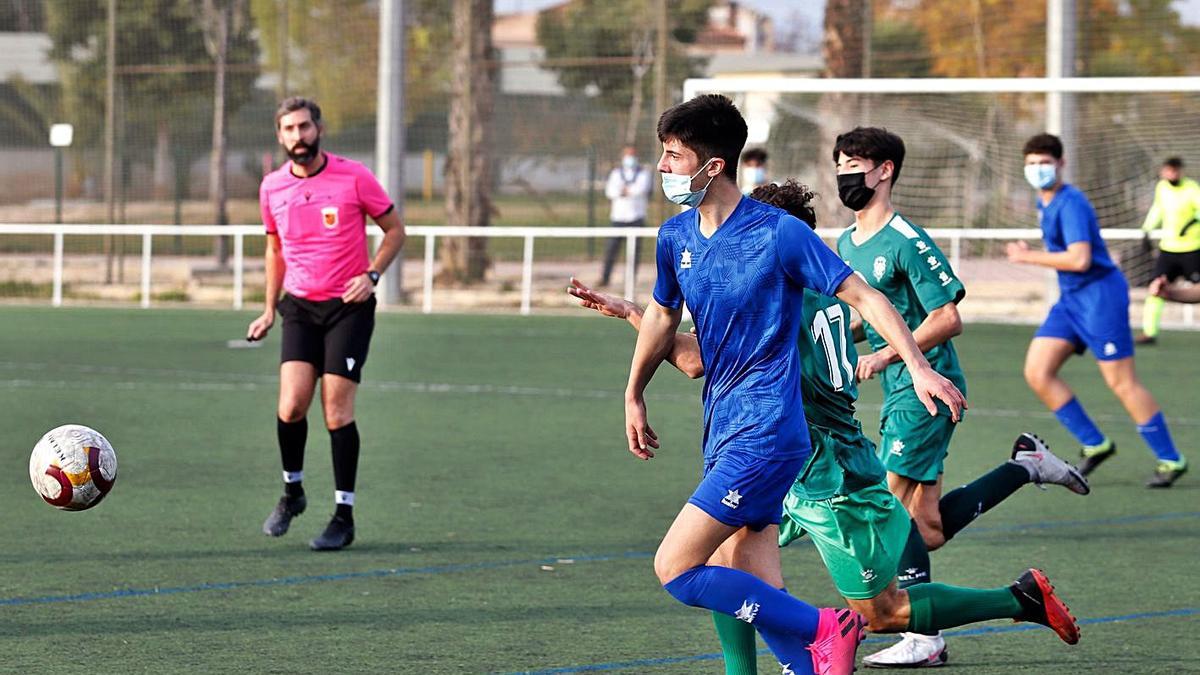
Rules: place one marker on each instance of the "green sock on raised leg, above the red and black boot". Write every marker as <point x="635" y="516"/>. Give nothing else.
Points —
<point x="937" y="607"/>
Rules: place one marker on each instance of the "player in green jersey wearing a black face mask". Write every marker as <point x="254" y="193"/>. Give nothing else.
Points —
<point x="901" y="260"/>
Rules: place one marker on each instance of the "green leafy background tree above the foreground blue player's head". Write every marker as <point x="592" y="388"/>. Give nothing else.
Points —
<point x="604" y="49"/>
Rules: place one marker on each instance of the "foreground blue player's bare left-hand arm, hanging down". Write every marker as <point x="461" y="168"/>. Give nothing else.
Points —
<point x="655" y="342"/>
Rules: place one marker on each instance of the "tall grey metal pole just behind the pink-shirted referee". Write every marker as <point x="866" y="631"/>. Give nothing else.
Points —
<point x="391" y="127"/>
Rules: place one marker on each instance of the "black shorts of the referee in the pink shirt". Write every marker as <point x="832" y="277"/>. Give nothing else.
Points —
<point x="333" y="336"/>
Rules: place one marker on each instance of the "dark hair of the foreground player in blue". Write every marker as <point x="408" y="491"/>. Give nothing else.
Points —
<point x="711" y="127"/>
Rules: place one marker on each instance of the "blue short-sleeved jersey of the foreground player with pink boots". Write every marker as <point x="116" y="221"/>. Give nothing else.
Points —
<point x="745" y="288"/>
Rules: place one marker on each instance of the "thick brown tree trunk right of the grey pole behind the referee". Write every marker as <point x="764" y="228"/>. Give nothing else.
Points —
<point x="469" y="166"/>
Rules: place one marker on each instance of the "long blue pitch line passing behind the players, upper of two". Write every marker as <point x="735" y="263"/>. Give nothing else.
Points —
<point x="501" y="565"/>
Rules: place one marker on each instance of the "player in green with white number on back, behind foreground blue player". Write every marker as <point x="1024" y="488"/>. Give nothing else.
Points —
<point x="841" y="499"/>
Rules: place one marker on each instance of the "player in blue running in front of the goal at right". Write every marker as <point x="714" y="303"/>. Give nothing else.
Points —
<point x="1093" y="313"/>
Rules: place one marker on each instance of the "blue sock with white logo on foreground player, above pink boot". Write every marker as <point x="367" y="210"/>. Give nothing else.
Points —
<point x="787" y="625"/>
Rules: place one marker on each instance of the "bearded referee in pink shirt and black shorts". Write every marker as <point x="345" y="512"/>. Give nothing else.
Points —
<point x="315" y="211"/>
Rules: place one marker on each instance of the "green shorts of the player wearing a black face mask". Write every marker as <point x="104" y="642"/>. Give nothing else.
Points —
<point x="915" y="444"/>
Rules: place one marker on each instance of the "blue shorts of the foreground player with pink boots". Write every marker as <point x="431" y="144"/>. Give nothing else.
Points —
<point x="743" y="491"/>
